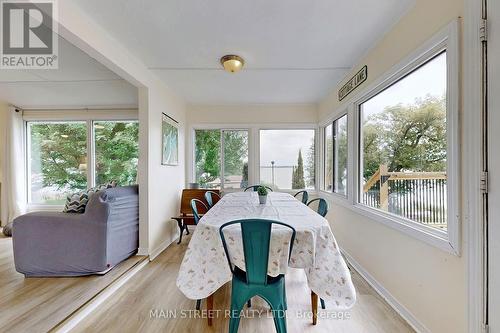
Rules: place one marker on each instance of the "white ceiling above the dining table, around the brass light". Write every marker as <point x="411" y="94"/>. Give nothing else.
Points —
<point x="296" y="51"/>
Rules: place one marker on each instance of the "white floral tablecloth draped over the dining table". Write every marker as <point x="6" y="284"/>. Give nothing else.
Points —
<point x="204" y="268"/>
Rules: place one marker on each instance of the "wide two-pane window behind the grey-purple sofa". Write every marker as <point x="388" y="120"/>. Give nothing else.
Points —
<point x="59" y="157"/>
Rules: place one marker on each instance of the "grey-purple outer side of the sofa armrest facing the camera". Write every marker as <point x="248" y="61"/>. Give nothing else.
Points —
<point x="54" y="244"/>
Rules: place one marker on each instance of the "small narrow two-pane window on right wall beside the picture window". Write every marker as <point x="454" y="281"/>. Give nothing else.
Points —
<point x="336" y="156"/>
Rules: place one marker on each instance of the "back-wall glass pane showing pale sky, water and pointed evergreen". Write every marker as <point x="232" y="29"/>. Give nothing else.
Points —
<point x="287" y="158"/>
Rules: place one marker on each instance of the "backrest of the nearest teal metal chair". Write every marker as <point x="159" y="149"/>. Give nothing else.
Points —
<point x="256" y="234"/>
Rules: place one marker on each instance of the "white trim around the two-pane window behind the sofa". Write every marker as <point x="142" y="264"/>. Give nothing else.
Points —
<point x="89" y="116"/>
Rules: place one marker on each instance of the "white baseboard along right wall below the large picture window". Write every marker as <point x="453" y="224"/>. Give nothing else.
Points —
<point x="387" y="296"/>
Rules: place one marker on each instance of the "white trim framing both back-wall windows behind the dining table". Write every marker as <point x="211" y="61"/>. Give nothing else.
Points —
<point x="253" y="147"/>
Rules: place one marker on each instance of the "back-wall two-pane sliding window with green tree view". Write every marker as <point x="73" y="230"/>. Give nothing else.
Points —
<point x="211" y="161"/>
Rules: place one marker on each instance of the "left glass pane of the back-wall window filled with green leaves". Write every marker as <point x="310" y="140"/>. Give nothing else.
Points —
<point x="207" y="158"/>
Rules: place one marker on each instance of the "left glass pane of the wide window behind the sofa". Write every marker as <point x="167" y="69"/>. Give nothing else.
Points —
<point x="58" y="160"/>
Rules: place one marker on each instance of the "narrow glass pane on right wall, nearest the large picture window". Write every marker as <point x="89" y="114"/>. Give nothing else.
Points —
<point x="340" y="155"/>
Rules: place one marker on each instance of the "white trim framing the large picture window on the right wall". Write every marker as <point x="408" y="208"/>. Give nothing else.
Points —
<point x="449" y="241"/>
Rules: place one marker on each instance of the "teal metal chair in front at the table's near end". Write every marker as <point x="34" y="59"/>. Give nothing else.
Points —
<point x="254" y="281"/>
